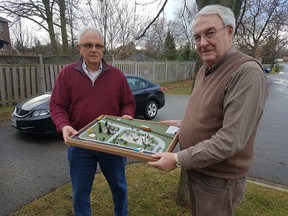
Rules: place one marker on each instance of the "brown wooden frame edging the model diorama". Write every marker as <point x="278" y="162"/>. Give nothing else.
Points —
<point x="76" y="141"/>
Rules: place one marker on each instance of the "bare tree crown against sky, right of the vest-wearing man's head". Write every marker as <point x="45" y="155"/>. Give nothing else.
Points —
<point x="262" y="21"/>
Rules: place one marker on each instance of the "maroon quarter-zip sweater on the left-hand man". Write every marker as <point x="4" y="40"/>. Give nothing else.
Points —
<point x="76" y="101"/>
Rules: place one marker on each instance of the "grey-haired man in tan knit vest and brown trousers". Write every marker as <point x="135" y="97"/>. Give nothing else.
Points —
<point x="218" y="130"/>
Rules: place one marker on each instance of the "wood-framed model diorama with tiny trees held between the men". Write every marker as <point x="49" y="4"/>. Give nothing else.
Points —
<point x="132" y="138"/>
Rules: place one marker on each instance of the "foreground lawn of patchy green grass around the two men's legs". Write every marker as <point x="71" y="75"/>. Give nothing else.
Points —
<point x="152" y="193"/>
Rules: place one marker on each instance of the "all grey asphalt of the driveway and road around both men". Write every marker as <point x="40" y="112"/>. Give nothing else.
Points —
<point x="32" y="166"/>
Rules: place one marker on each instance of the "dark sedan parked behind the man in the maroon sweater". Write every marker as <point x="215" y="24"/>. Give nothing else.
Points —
<point x="33" y="115"/>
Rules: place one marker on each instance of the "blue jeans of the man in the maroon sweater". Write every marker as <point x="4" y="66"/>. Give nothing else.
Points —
<point x="83" y="166"/>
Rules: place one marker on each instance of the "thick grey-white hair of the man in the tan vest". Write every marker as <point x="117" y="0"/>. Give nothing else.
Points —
<point x="225" y="14"/>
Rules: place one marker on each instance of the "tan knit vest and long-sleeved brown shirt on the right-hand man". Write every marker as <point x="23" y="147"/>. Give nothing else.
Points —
<point x="218" y="130"/>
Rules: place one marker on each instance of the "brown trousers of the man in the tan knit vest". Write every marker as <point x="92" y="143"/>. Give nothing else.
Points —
<point x="212" y="196"/>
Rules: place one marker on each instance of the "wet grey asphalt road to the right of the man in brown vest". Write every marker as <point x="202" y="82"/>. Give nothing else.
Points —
<point x="270" y="151"/>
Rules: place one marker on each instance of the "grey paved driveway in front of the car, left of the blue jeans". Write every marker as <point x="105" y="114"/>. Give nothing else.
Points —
<point x="30" y="166"/>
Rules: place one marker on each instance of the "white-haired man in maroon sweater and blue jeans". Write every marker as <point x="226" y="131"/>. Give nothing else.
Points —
<point x="82" y="92"/>
